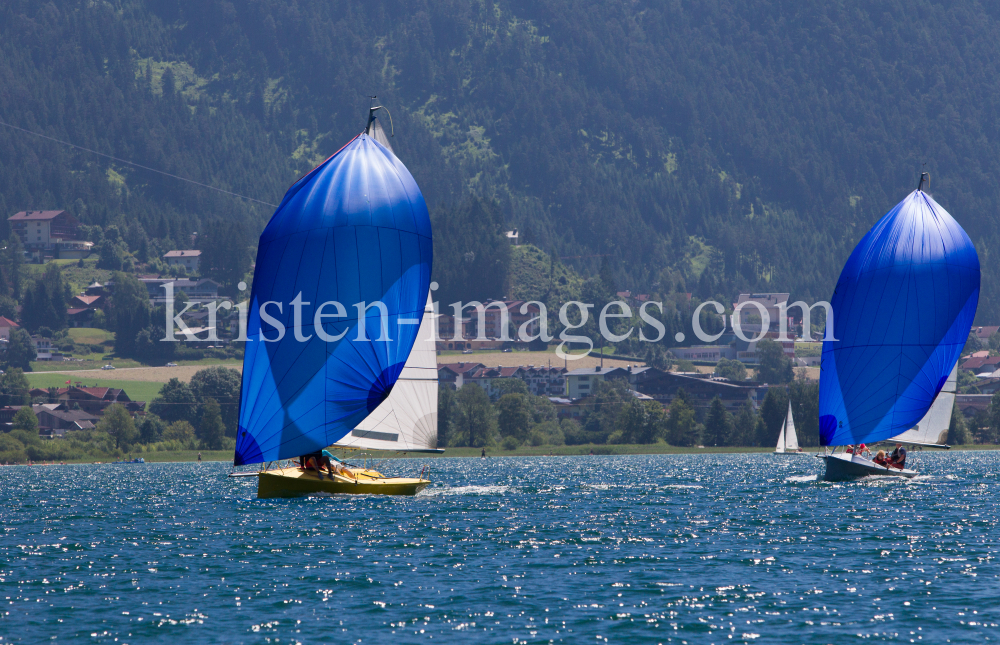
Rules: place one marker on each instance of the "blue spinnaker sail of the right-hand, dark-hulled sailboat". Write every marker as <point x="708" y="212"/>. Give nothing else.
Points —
<point x="902" y="310"/>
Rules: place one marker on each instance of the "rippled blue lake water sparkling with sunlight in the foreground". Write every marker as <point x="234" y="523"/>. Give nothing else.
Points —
<point x="671" y="549"/>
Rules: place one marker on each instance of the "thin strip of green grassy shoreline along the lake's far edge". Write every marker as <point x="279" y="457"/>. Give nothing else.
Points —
<point x="584" y="450"/>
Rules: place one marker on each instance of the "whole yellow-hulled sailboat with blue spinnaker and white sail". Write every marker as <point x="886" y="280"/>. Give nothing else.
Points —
<point x="348" y="250"/>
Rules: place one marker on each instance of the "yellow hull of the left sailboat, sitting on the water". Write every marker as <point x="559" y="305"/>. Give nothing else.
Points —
<point x="295" y="482"/>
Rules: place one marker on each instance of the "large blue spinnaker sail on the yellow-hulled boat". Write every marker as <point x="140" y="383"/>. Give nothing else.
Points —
<point x="354" y="230"/>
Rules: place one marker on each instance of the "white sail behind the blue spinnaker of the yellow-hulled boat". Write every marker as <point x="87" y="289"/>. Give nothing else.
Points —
<point x="406" y="421"/>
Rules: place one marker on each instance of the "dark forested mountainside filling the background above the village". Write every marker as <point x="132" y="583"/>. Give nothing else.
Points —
<point x="701" y="146"/>
